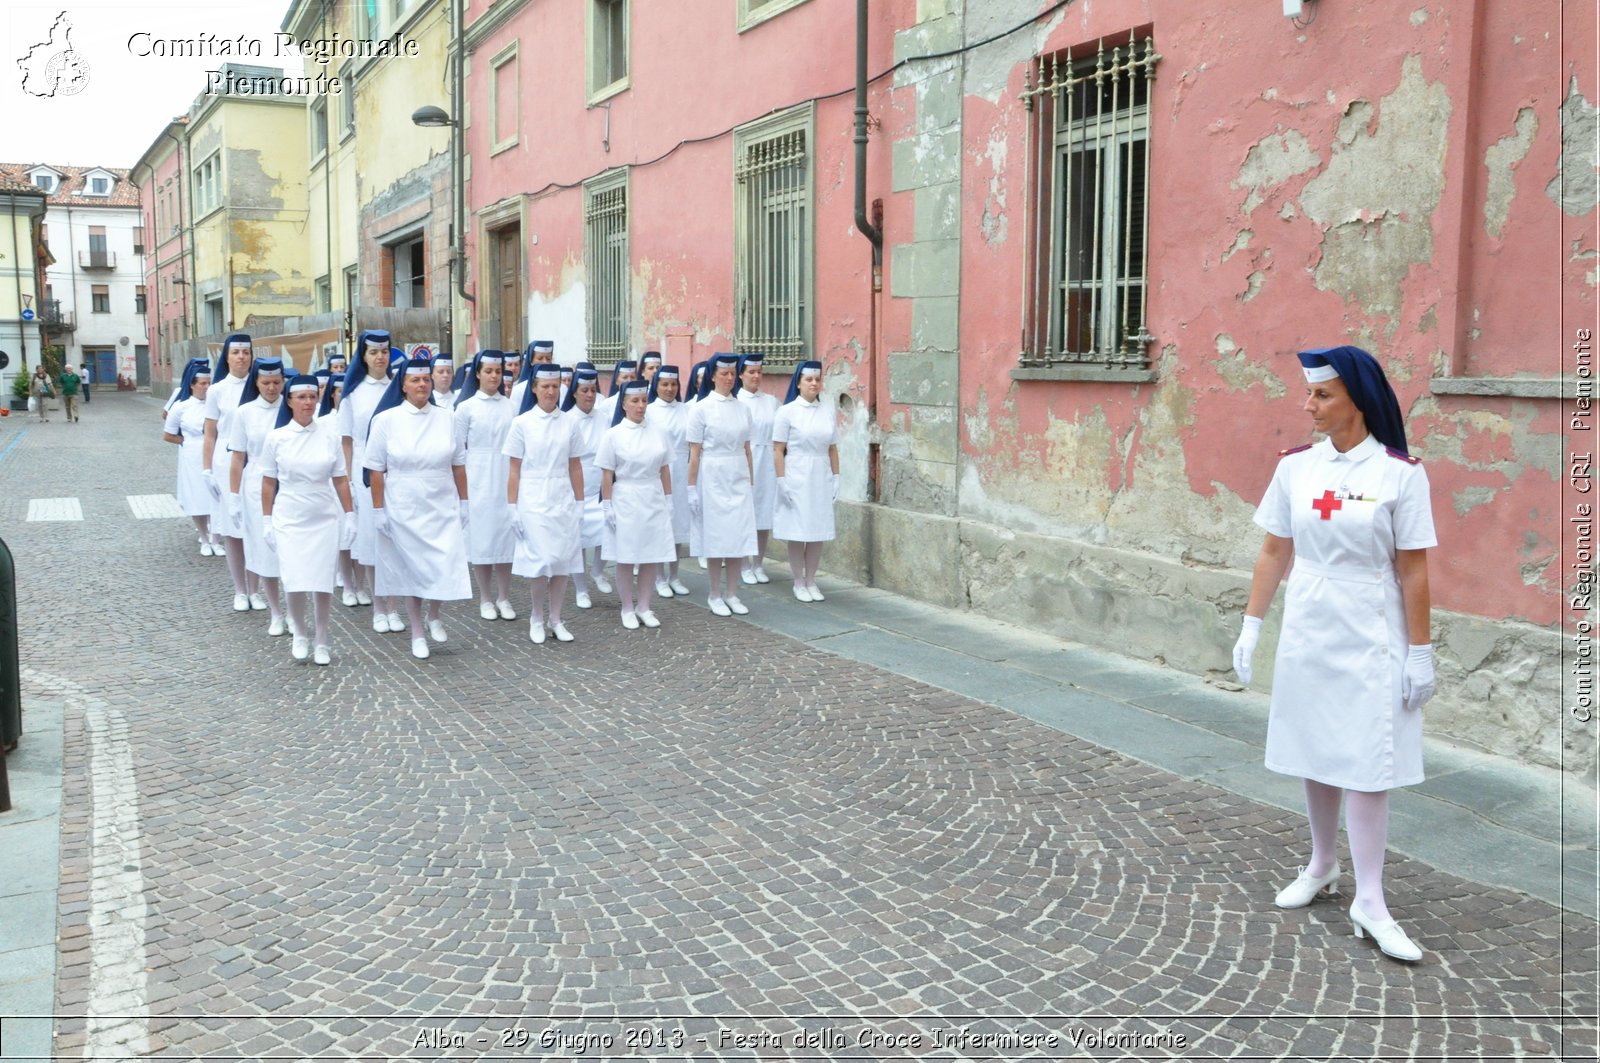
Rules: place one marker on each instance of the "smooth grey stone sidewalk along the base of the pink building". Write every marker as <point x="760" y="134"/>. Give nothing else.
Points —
<point x="1481" y="817"/>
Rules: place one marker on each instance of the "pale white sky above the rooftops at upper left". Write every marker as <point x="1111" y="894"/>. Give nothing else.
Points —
<point x="127" y="100"/>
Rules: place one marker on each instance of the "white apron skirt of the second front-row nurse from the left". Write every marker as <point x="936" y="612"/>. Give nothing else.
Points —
<point x="425" y="553"/>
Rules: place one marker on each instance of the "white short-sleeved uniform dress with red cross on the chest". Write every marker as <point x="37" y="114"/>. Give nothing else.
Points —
<point x="1337" y="715"/>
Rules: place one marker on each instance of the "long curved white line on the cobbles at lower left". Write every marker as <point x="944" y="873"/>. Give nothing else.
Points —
<point x="119" y="1003"/>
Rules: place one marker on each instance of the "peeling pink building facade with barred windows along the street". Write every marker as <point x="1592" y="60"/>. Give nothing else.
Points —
<point x="1106" y="231"/>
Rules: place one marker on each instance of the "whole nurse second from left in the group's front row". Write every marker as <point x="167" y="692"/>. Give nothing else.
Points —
<point x="418" y="478"/>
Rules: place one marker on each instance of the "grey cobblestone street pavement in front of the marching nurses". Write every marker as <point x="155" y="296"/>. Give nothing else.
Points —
<point x="705" y="841"/>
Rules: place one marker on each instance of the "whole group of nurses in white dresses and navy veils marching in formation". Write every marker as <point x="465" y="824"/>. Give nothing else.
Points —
<point x="404" y="484"/>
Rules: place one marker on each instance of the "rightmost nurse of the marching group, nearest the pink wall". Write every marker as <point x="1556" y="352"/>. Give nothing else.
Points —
<point x="806" y="460"/>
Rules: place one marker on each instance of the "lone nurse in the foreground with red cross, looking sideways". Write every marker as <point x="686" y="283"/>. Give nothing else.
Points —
<point x="1356" y="662"/>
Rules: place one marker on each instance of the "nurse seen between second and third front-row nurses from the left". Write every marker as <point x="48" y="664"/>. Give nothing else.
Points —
<point x="482" y="420"/>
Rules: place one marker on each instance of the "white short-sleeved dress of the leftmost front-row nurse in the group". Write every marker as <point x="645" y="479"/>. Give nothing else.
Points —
<point x="306" y="510"/>
